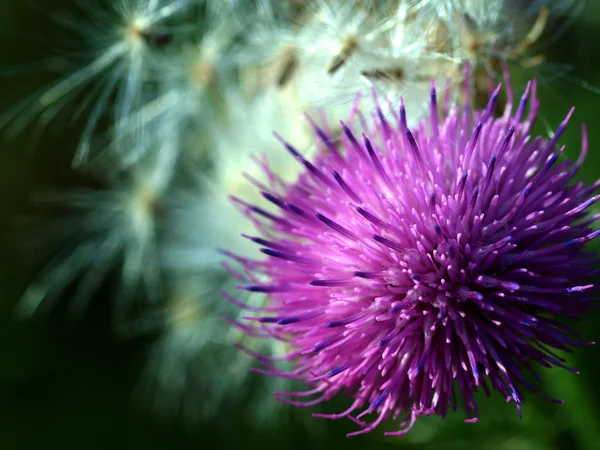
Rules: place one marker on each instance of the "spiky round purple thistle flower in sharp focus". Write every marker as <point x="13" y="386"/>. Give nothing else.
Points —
<point x="410" y="268"/>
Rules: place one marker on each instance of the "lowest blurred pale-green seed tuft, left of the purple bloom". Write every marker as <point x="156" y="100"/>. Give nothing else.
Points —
<point x="178" y="379"/>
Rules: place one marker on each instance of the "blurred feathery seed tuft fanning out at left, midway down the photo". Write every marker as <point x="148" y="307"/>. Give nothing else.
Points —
<point x="104" y="230"/>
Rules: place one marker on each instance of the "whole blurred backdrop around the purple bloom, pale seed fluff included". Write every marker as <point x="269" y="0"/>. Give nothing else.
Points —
<point x="137" y="356"/>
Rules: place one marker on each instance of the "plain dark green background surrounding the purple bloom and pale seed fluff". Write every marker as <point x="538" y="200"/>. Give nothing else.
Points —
<point x="69" y="385"/>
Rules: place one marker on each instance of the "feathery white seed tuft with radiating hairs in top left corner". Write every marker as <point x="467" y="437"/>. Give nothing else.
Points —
<point x="114" y="46"/>
